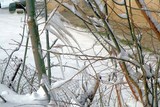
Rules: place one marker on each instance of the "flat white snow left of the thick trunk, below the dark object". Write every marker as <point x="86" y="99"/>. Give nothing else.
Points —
<point x="13" y="23"/>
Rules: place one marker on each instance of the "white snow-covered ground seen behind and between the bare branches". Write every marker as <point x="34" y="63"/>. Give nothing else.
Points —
<point x="11" y="28"/>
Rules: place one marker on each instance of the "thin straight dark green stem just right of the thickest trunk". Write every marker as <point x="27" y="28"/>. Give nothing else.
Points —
<point x="47" y="45"/>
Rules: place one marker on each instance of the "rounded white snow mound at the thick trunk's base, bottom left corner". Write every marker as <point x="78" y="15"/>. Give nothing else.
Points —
<point x="36" y="99"/>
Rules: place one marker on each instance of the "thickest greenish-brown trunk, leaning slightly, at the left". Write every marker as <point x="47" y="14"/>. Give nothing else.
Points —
<point x="35" y="40"/>
